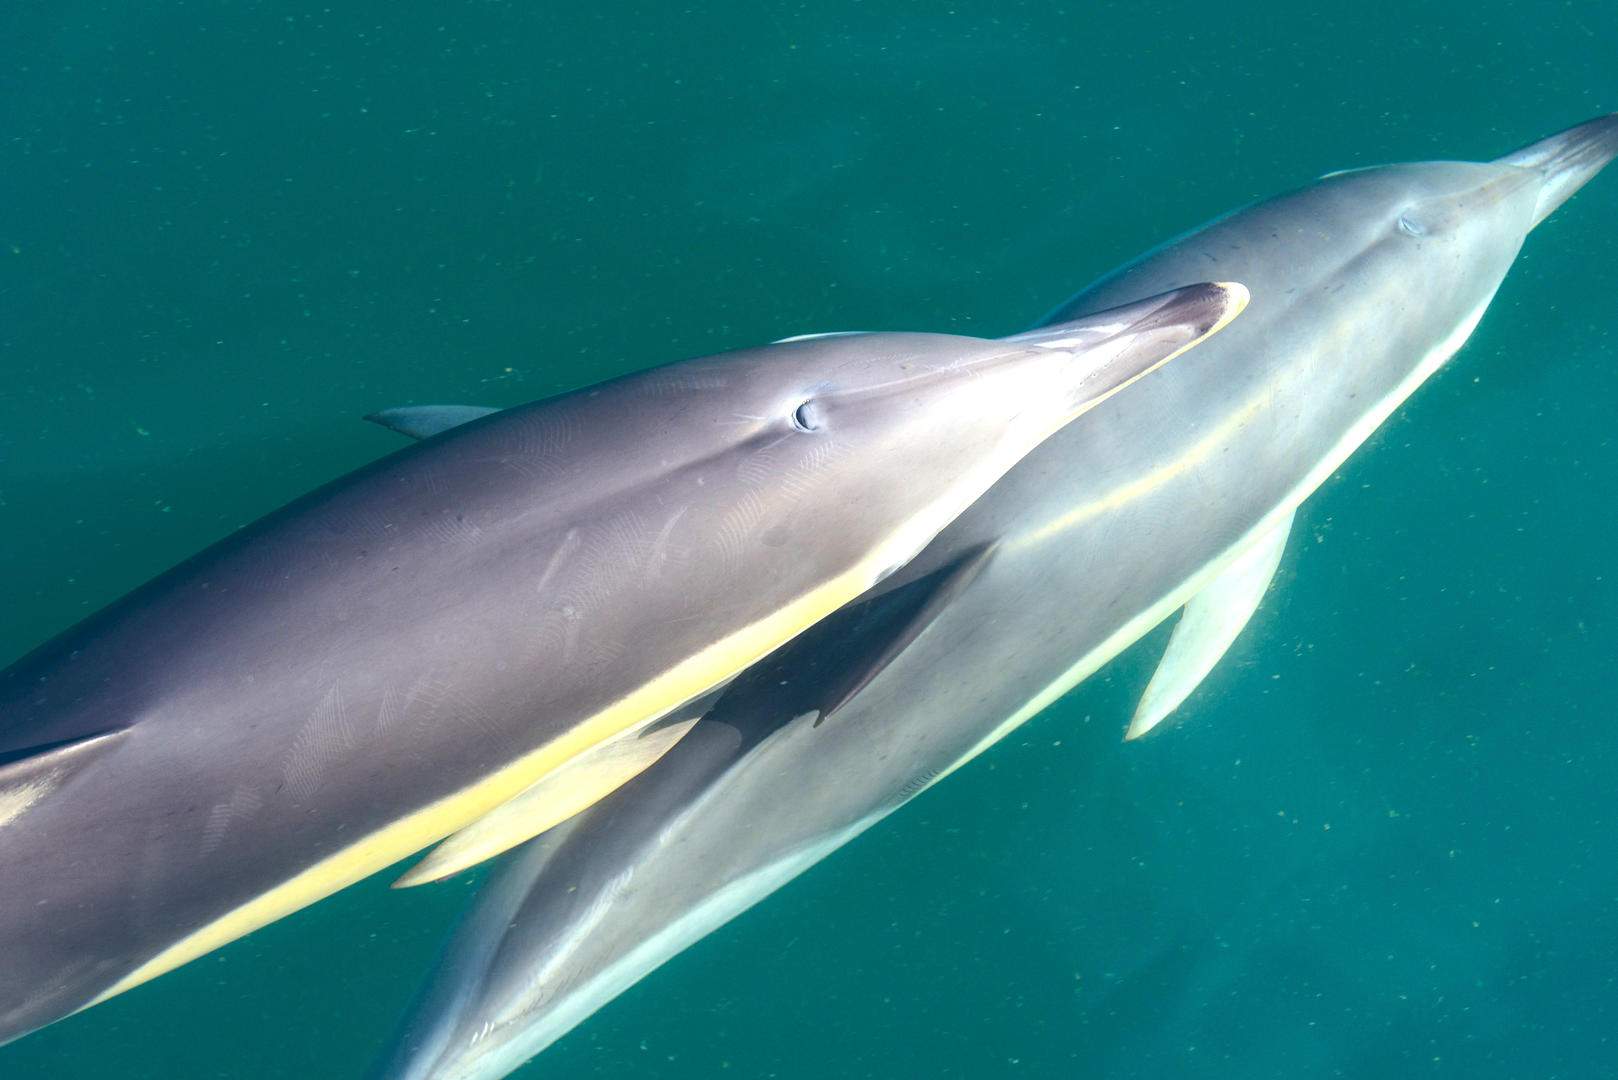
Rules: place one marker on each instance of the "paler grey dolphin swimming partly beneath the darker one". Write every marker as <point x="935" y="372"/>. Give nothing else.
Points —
<point x="1175" y="495"/>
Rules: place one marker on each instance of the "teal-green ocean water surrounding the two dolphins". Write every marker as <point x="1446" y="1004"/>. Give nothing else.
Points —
<point x="1381" y="840"/>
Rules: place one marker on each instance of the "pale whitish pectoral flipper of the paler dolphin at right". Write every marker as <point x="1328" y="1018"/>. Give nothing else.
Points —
<point x="1213" y="621"/>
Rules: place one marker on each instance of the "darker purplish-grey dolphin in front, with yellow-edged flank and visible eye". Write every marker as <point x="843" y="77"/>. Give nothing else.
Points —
<point x="397" y="655"/>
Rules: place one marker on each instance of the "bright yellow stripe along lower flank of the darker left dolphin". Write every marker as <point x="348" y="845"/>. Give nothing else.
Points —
<point x="430" y="825"/>
